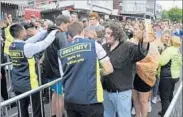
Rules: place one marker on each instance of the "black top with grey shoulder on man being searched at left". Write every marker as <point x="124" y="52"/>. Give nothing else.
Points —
<point x="50" y="63"/>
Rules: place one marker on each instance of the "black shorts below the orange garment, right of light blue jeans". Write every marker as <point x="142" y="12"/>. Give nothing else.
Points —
<point x="140" y="85"/>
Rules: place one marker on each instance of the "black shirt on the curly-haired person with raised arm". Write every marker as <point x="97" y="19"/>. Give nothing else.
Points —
<point x="123" y="59"/>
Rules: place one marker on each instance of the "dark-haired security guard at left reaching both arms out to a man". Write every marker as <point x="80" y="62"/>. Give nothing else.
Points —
<point x="24" y="73"/>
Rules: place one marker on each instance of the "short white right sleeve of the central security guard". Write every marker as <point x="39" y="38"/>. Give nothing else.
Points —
<point x="101" y="53"/>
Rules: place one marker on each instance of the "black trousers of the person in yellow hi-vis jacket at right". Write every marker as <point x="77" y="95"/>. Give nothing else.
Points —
<point x="166" y="88"/>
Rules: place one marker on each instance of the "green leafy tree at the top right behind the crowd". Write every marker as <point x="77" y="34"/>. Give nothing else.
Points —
<point x="175" y="14"/>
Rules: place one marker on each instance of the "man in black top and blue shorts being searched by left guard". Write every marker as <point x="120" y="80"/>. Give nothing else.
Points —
<point x="51" y="66"/>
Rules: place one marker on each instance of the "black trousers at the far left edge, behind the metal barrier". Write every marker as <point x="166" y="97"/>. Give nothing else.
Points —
<point x="4" y="92"/>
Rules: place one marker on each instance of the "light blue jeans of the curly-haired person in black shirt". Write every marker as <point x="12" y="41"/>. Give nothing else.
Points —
<point x="117" y="103"/>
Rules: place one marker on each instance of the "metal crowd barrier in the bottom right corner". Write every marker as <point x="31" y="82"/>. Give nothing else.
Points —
<point x="175" y="107"/>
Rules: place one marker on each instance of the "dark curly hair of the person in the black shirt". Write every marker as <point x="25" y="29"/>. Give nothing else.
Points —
<point x="117" y="31"/>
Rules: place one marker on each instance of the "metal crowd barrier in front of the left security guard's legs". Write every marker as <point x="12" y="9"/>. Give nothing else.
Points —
<point x="7" y="111"/>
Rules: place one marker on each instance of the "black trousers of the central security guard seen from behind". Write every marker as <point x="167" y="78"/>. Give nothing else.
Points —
<point x="78" y="110"/>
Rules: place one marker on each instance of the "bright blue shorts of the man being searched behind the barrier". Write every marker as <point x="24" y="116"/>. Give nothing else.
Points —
<point x="57" y="88"/>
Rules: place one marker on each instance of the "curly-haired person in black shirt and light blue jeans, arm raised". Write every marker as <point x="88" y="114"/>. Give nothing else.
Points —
<point x="123" y="55"/>
